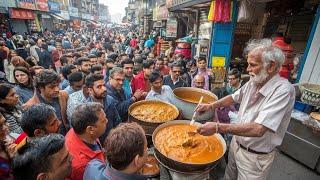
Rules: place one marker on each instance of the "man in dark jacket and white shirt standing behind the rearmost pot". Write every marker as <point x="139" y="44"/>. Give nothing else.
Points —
<point x="173" y="79"/>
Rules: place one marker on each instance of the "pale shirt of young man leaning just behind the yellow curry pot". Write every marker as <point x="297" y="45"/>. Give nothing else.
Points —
<point x="165" y="95"/>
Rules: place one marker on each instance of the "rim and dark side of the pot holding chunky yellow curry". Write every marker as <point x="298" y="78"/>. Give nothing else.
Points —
<point x="149" y="127"/>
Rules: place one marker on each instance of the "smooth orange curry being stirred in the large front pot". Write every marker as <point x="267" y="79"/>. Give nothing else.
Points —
<point x="177" y="143"/>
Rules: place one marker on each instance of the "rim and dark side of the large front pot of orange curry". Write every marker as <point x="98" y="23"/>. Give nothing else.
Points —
<point x="179" y="166"/>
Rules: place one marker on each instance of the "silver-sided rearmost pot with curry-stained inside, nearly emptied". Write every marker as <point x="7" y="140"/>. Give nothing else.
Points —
<point x="187" y="107"/>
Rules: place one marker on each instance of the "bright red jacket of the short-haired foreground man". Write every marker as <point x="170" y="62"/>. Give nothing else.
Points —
<point x="81" y="154"/>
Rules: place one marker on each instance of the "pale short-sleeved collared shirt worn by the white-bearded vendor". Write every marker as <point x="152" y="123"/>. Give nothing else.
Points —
<point x="271" y="106"/>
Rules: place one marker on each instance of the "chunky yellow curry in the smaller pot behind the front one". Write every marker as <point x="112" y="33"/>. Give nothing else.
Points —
<point x="154" y="112"/>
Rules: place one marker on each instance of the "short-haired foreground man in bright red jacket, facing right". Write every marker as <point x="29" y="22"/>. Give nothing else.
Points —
<point x="88" y="124"/>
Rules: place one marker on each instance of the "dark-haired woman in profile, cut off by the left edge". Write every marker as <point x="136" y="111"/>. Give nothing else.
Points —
<point x="11" y="107"/>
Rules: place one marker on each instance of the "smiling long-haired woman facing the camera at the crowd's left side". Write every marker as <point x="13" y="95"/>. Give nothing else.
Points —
<point x="24" y="84"/>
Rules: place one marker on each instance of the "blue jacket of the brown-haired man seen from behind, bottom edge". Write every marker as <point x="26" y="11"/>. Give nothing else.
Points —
<point x="97" y="170"/>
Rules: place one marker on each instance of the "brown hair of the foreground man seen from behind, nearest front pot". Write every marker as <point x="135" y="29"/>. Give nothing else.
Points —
<point x="123" y="143"/>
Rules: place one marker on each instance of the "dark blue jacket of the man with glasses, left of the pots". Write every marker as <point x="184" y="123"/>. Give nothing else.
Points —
<point x="121" y="101"/>
